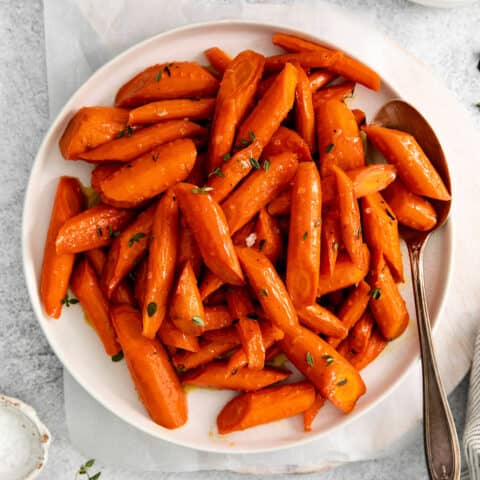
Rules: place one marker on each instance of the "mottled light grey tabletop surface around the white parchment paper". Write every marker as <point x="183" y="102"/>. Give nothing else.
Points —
<point x="448" y="40"/>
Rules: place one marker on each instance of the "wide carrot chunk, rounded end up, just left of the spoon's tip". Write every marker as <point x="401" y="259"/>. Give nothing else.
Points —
<point x="339" y="141"/>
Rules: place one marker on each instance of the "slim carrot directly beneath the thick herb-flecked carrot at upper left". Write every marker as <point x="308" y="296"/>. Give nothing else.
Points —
<point x="172" y="110"/>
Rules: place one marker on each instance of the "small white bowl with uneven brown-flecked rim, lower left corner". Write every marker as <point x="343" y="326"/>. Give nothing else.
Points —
<point x="24" y="441"/>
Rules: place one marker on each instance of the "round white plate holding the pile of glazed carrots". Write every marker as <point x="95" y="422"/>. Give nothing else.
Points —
<point x="76" y="344"/>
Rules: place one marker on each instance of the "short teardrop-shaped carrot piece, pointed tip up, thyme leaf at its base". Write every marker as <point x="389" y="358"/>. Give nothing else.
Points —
<point x="186" y="309"/>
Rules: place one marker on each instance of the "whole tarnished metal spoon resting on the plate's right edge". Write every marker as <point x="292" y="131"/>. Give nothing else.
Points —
<point x="441" y="441"/>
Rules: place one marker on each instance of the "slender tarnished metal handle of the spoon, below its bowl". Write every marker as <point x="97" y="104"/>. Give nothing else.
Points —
<point x="441" y="441"/>
